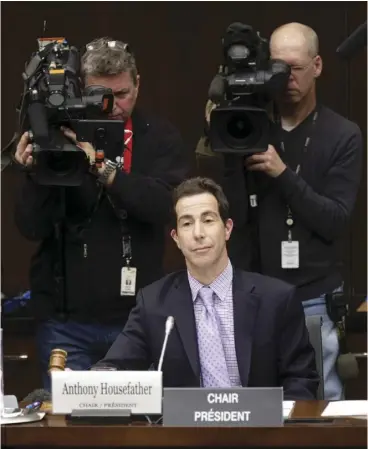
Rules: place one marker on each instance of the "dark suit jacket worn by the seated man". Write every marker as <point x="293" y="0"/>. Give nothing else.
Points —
<point x="271" y="338"/>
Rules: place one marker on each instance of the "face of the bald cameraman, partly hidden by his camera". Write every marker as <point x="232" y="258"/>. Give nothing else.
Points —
<point x="304" y="69"/>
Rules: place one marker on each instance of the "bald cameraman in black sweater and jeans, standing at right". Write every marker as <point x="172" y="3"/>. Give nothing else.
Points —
<point x="307" y="182"/>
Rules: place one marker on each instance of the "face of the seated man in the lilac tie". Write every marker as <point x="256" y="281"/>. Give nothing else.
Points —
<point x="201" y="234"/>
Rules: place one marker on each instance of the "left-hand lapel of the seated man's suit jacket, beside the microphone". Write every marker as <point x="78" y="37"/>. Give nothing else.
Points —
<point x="183" y="312"/>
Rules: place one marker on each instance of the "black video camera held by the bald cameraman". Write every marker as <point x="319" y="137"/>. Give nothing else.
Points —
<point x="242" y="89"/>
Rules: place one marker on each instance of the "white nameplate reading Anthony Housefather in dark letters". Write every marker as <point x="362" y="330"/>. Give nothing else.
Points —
<point x="139" y="392"/>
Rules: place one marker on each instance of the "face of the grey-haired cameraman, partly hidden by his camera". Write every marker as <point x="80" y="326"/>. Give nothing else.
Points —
<point x="124" y="90"/>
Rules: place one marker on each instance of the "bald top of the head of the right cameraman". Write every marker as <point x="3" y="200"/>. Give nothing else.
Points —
<point x="294" y="37"/>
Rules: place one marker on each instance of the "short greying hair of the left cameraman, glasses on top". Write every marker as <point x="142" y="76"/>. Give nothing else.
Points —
<point x="106" y="56"/>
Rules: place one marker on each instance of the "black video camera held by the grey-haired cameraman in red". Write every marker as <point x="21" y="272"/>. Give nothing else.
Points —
<point x="53" y="97"/>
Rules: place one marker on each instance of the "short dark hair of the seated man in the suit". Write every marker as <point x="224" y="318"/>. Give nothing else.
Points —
<point x="198" y="185"/>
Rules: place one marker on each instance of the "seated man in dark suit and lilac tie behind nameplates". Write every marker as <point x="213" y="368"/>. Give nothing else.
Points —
<point x="232" y="328"/>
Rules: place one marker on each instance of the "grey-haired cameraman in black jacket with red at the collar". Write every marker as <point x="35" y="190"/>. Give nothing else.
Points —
<point x="114" y="225"/>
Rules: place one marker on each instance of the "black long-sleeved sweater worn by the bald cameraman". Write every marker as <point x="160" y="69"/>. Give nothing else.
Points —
<point x="321" y="198"/>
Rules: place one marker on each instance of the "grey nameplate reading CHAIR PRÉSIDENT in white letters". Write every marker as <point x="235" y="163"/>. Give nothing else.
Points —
<point x="241" y="407"/>
